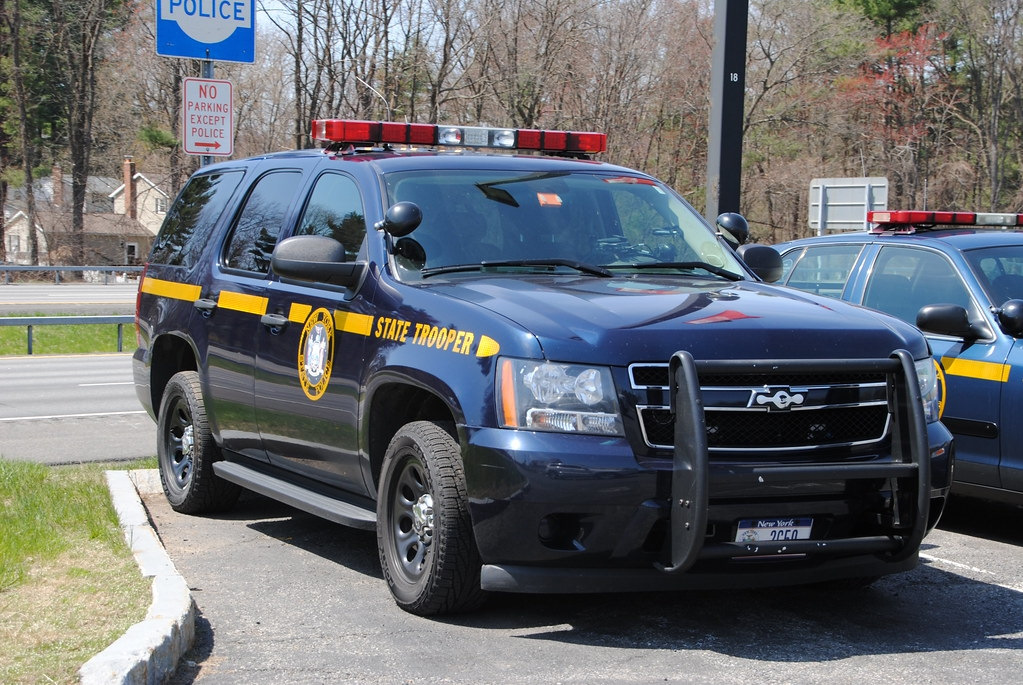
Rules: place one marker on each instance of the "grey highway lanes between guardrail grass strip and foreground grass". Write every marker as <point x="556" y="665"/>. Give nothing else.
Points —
<point x="72" y="409"/>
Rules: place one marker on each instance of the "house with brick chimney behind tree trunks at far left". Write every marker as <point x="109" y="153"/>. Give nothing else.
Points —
<point x="120" y="223"/>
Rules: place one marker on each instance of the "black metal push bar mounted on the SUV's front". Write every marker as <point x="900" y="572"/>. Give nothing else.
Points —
<point x="692" y="488"/>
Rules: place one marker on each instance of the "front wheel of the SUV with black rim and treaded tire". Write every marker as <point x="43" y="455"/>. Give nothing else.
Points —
<point x="424" y="533"/>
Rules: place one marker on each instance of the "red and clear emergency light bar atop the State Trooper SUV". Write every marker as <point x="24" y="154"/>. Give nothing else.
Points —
<point x="379" y="133"/>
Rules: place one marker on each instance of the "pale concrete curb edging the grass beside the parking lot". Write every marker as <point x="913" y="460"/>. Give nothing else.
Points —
<point x="150" y="651"/>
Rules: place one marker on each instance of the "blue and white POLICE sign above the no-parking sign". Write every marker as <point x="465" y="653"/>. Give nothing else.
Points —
<point x="216" y="30"/>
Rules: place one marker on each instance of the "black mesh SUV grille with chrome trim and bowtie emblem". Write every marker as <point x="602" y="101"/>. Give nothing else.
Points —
<point x="835" y="409"/>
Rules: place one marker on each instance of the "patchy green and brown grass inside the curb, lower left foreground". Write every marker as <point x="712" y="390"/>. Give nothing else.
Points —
<point x="69" y="584"/>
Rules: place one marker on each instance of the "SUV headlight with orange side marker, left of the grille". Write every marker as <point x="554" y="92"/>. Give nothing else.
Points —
<point x="563" y="398"/>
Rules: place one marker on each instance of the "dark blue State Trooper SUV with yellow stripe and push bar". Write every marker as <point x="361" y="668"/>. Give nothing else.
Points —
<point x="529" y="372"/>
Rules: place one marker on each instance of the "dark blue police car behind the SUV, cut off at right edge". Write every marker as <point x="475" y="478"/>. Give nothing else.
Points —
<point x="959" y="277"/>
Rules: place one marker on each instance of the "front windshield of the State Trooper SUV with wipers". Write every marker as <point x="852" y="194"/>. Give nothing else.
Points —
<point x="561" y="222"/>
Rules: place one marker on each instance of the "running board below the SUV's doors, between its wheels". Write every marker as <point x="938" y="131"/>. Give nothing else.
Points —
<point x="337" y="511"/>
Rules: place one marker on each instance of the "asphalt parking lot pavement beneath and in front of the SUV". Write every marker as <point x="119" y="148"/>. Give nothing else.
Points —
<point x="287" y="598"/>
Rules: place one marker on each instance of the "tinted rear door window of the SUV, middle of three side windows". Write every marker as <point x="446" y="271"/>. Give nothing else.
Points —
<point x="256" y="232"/>
